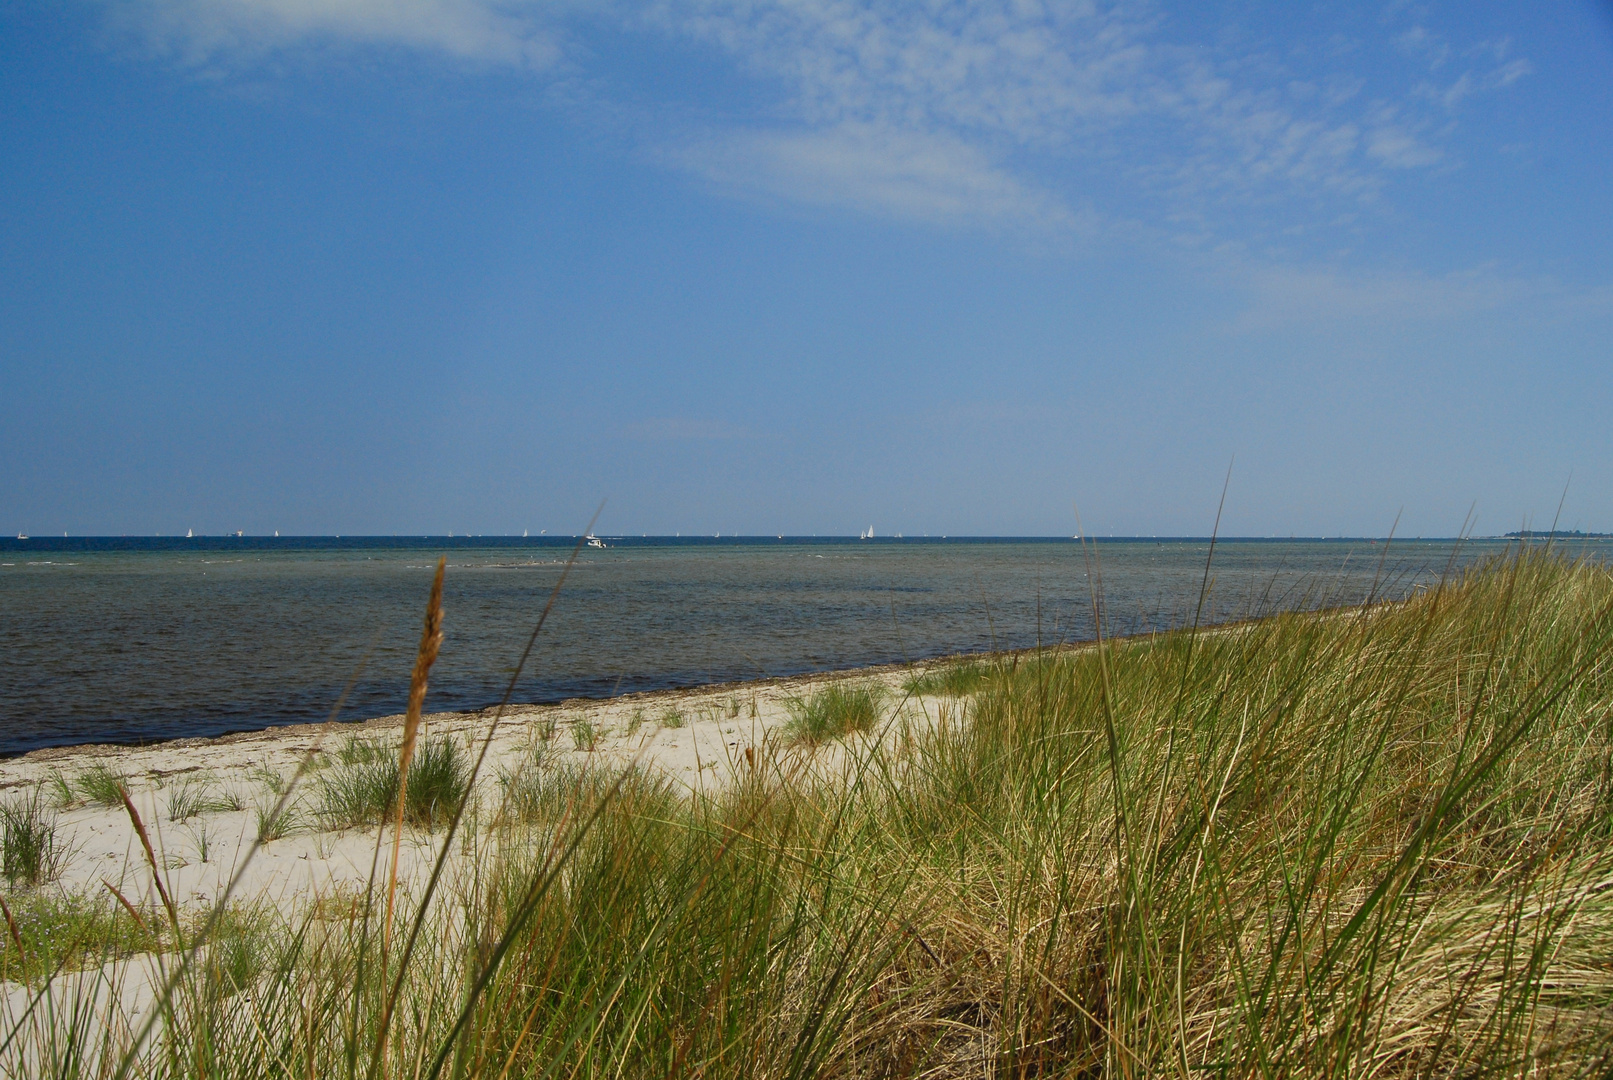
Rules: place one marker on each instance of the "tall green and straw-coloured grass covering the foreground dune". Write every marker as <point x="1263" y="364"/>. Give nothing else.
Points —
<point x="1356" y="844"/>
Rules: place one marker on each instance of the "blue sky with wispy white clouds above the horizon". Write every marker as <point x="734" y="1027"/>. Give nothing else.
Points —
<point x="804" y="267"/>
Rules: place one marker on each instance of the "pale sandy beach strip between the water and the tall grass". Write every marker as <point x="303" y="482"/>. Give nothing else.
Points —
<point x="699" y="739"/>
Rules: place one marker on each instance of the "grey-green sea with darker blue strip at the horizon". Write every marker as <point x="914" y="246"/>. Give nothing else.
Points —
<point x="127" y="641"/>
